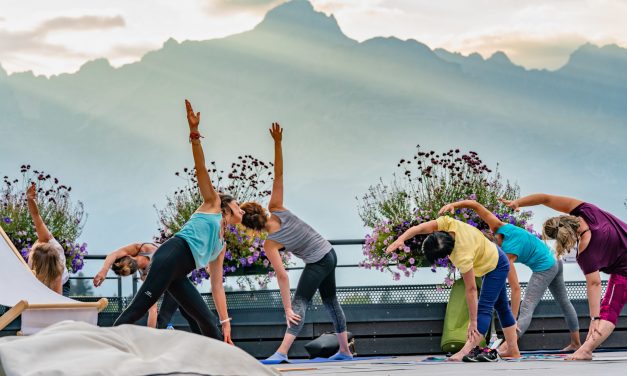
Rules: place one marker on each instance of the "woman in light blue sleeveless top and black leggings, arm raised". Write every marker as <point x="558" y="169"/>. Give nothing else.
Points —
<point x="197" y="244"/>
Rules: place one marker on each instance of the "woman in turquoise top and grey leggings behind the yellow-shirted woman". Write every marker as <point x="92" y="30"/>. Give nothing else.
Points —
<point x="523" y="247"/>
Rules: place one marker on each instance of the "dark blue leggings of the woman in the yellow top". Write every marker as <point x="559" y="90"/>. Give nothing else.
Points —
<point x="494" y="296"/>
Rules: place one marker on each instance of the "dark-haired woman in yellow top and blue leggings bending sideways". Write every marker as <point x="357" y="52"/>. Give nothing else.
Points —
<point x="475" y="256"/>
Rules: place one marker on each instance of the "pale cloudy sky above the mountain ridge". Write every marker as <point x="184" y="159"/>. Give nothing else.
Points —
<point x="51" y="37"/>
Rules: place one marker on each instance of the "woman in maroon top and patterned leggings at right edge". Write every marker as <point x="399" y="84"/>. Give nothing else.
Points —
<point x="601" y="242"/>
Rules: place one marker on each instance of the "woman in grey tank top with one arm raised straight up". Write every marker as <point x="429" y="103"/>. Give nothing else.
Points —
<point x="287" y="231"/>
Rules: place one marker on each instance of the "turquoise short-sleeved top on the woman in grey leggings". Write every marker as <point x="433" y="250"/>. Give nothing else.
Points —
<point x="530" y="250"/>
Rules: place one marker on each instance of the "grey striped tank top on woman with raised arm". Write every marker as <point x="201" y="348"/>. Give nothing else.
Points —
<point x="299" y="238"/>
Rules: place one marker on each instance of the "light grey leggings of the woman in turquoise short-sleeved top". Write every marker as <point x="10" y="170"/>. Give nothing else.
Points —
<point x="553" y="279"/>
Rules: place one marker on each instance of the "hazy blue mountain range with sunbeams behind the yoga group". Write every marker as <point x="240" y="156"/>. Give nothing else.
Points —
<point x="350" y="111"/>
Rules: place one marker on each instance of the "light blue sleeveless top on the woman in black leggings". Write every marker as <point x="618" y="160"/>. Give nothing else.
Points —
<point x="202" y="234"/>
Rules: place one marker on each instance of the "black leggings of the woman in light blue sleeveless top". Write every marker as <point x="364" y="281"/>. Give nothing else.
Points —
<point x="171" y="264"/>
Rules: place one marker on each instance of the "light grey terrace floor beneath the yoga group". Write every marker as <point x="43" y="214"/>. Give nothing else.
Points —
<point x="606" y="363"/>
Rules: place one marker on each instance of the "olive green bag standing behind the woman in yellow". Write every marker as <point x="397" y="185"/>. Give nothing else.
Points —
<point x="456" y="319"/>
